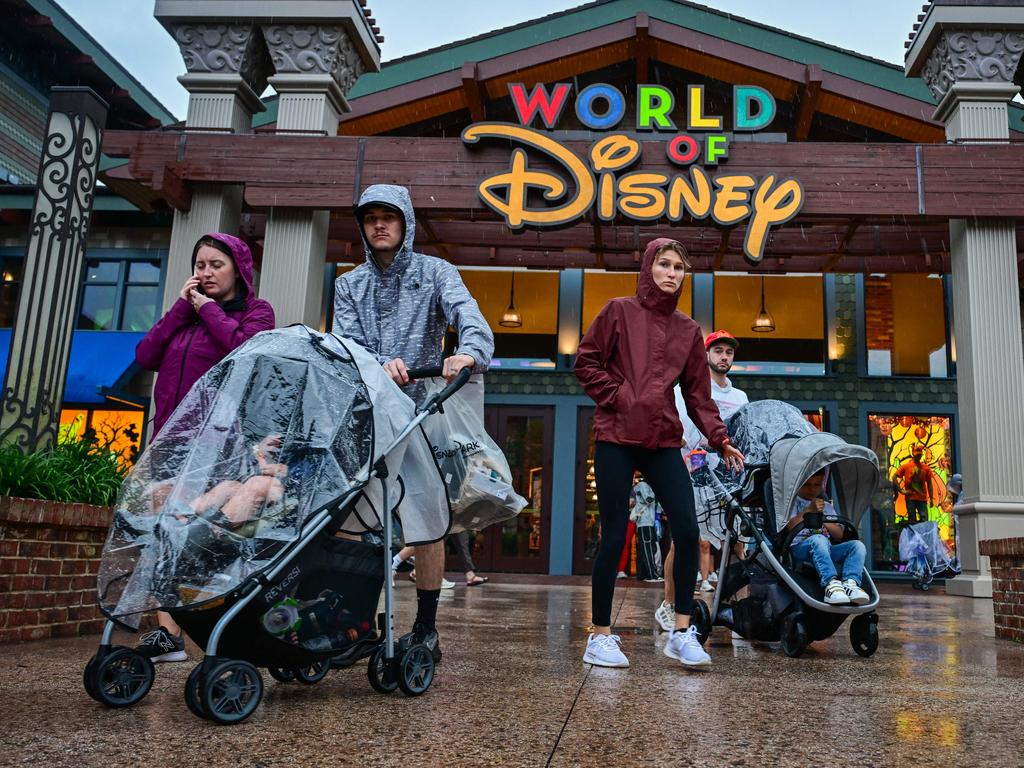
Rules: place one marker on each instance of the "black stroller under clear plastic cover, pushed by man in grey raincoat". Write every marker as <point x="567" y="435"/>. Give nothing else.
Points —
<point x="229" y="522"/>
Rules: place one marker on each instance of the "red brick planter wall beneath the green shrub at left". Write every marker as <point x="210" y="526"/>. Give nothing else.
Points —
<point x="50" y="556"/>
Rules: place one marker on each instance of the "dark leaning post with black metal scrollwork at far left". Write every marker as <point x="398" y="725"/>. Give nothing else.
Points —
<point x="37" y="366"/>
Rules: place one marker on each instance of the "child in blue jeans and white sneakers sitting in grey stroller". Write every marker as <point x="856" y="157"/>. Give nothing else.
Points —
<point x="815" y="544"/>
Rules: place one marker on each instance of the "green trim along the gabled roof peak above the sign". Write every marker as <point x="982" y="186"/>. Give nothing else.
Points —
<point x="604" y="13"/>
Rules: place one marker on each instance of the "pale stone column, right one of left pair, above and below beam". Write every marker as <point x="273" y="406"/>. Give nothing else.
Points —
<point x="315" y="66"/>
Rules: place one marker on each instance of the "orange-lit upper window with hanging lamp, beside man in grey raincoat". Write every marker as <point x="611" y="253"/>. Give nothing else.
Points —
<point x="535" y="343"/>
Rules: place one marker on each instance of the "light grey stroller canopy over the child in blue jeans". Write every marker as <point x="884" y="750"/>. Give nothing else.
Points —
<point x="855" y="471"/>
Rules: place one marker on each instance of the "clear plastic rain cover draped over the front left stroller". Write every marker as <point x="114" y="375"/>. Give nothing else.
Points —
<point x="278" y="431"/>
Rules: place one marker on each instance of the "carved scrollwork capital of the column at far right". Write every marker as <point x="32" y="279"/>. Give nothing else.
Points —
<point x="972" y="57"/>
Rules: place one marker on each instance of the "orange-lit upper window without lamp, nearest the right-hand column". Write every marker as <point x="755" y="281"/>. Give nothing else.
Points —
<point x="906" y="325"/>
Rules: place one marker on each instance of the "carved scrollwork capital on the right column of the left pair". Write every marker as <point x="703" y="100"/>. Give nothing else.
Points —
<point x="315" y="50"/>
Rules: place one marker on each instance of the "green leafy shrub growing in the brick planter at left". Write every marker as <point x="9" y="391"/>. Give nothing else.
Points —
<point x="75" y="471"/>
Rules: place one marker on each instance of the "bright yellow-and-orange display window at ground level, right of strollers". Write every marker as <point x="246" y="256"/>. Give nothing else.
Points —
<point x="916" y="459"/>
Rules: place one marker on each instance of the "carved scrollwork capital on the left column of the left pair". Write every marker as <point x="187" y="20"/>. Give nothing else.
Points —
<point x="225" y="50"/>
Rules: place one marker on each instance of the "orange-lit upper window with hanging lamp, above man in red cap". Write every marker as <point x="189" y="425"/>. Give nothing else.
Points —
<point x="796" y="304"/>
